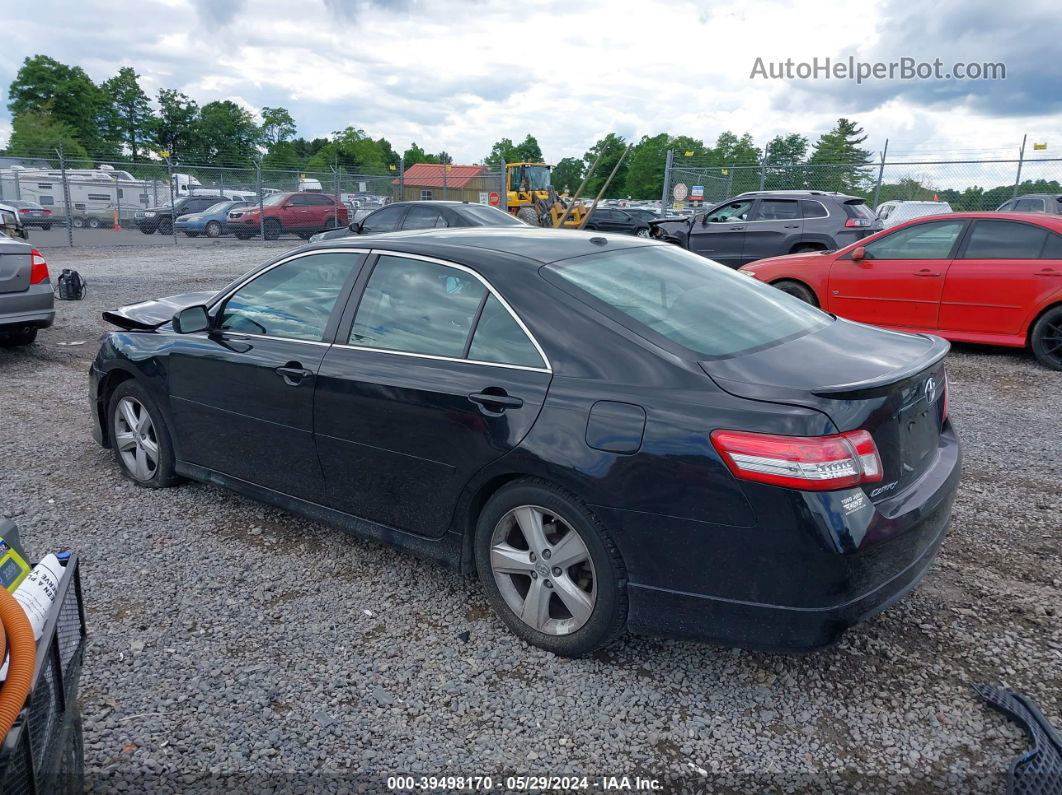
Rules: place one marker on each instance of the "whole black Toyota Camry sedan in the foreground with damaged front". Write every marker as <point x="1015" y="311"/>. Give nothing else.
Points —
<point x="613" y="433"/>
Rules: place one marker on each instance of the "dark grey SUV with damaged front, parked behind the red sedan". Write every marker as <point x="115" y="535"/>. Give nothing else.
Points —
<point x="767" y="224"/>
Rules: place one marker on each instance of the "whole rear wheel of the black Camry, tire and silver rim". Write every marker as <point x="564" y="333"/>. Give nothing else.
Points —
<point x="551" y="571"/>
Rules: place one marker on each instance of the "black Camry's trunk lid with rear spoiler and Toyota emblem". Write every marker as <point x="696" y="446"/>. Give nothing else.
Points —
<point x="888" y="384"/>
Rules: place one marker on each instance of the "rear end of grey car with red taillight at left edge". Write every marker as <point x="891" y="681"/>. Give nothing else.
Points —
<point x="27" y="303"/>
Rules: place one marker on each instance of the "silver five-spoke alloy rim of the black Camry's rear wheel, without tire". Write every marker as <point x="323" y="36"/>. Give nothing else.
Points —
<point x="544" y="571"/>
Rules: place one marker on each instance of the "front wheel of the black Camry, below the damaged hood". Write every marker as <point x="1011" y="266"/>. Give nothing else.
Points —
<point x="141" y="438"/>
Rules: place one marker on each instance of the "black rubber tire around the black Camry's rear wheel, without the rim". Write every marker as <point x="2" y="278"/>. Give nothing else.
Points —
<point x="609" y="616"/>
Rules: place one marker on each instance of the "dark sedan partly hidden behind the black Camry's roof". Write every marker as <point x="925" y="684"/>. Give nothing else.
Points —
<point x="408" y="216"/>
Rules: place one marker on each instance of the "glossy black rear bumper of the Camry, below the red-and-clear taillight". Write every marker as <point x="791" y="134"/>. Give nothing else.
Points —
<point x="813" y="566"/>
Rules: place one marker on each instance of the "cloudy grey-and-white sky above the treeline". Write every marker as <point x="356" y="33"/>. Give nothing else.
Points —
<point x="458" y="75"/>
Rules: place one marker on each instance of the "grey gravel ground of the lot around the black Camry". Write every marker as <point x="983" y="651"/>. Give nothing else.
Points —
<point x="229" y="640"/>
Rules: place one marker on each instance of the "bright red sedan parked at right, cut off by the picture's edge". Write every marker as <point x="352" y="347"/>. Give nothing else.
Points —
<point x="994" y="279"/>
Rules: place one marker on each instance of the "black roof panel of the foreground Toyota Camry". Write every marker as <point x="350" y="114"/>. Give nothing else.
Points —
<point x="536" y="246"/>
